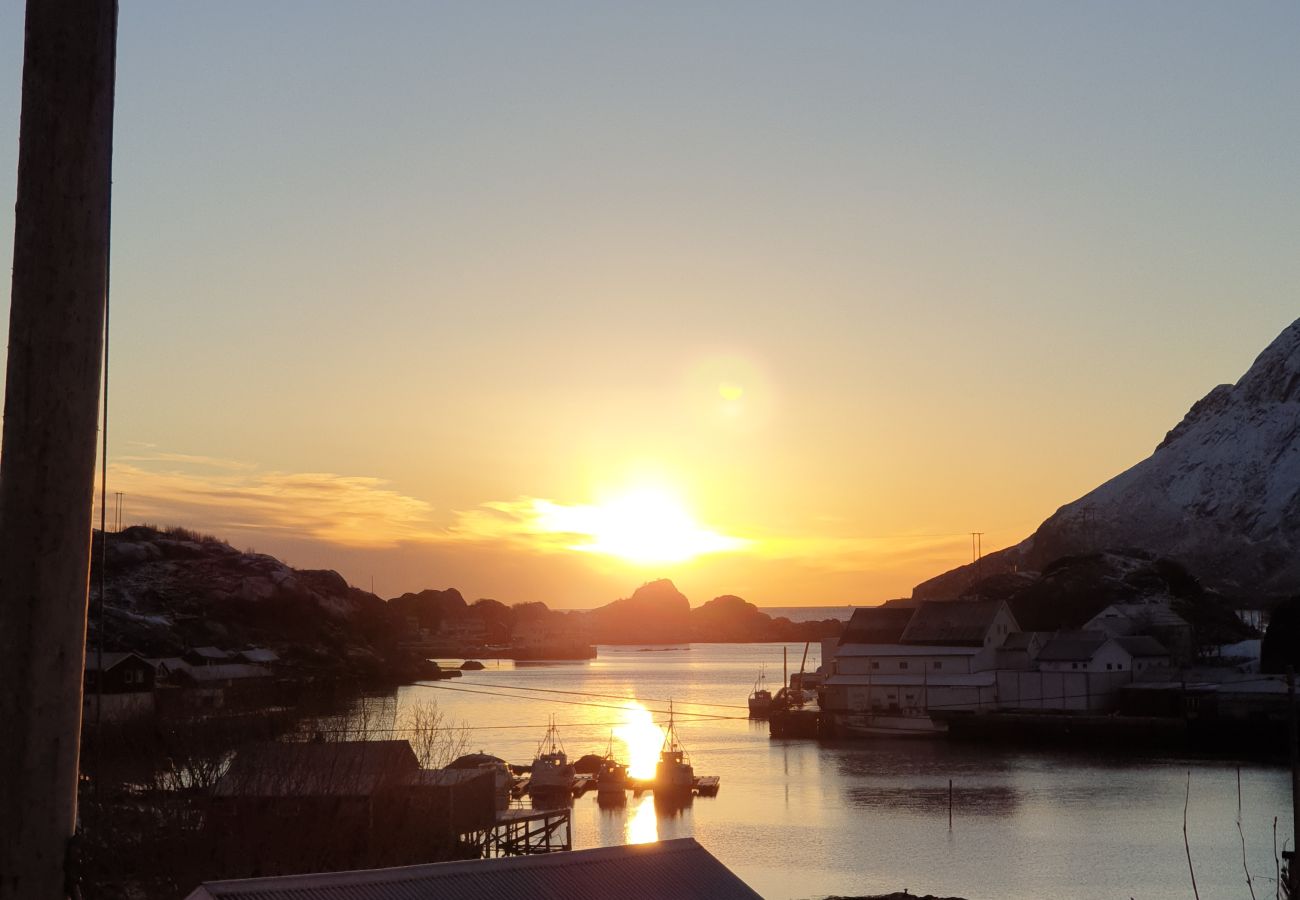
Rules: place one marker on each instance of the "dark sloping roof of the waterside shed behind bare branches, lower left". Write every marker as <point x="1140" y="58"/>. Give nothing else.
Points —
<point x="341" y="769"/>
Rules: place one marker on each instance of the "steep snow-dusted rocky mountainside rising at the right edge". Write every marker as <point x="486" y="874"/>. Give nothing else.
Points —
<point x="1220" y="495"/>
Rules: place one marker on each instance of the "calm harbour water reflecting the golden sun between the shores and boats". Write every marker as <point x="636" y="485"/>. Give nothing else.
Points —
<point x="801" y="819"/>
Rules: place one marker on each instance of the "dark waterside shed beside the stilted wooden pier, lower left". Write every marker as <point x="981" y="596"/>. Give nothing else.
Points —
<point x="304" y="807"/>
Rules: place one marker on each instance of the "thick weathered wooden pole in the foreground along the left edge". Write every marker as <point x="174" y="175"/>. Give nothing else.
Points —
<point x="47" y="464"/>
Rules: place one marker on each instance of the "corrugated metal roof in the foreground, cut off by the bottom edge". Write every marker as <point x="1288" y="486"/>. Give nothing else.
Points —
<point x="679" y="869"/>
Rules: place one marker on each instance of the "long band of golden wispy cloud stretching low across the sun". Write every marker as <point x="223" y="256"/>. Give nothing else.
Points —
<point x="228" y="496"/>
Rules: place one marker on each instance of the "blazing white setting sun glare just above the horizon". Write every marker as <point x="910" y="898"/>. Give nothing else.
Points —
<point x="642" y="526"/>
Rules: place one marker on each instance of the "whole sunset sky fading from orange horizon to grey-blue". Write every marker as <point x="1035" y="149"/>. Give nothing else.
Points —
<point x="547" y="301"/>
